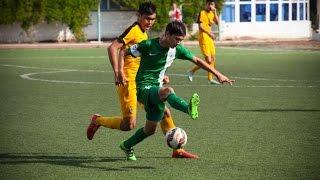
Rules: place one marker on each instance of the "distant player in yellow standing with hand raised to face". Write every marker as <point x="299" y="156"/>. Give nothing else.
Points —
<point x="206" y="19"/>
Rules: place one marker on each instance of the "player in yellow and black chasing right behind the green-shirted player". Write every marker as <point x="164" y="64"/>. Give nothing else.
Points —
<point x="127" y="94"/>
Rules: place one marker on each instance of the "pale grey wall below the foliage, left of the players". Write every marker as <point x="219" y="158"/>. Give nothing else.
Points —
<point x="112" y="24"/>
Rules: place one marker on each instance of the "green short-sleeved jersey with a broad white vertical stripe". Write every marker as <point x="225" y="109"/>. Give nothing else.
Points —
<point x="155" y="60"/>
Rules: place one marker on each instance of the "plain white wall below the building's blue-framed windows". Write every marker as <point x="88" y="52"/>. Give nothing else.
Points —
<point x="266" y="30"/>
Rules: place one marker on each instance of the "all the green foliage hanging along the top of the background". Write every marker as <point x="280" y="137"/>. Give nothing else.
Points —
<point x="75" y="13"/>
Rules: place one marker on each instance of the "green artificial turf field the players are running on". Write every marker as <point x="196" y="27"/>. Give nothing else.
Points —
<point x="266" y="126"/>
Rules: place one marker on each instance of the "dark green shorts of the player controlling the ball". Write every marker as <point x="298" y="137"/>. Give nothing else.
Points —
<point x="153" y="106"/>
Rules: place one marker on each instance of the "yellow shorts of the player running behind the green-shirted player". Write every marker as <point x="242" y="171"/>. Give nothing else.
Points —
<point x="128" y="99"/>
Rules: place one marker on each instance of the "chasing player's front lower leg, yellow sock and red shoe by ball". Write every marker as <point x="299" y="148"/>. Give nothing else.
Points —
<point x="167" y="124"/>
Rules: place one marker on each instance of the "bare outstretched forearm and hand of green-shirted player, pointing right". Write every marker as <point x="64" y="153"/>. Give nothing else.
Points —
<point x="222" y="78"/>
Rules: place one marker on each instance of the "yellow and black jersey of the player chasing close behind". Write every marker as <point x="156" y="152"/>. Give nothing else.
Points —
<point x="132" y="35"/>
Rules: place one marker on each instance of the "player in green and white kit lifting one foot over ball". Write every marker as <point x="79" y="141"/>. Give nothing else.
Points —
<point x="156" y="56"/>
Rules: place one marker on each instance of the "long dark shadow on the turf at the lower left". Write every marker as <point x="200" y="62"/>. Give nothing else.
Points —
<point x="65" y="160"/>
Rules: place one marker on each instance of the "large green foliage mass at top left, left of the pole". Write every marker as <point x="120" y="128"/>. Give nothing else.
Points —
<point x="74" y="13"/>
